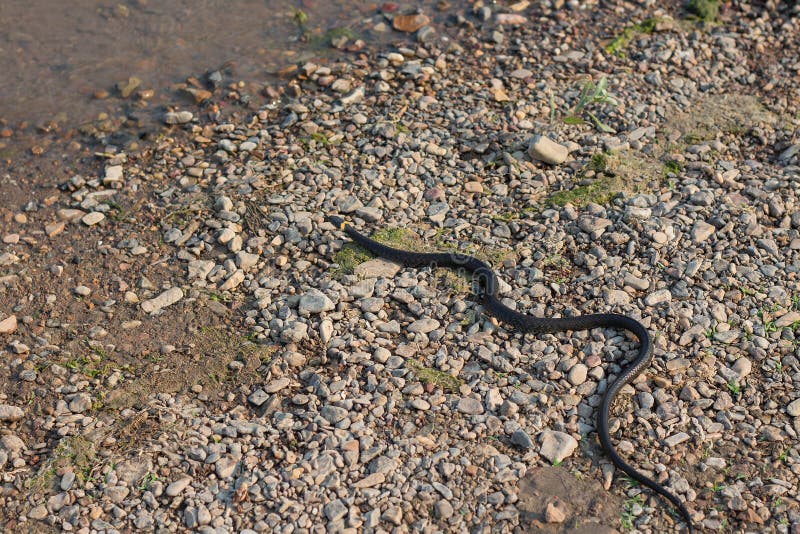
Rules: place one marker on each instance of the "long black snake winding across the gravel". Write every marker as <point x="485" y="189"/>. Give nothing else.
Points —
<point x="487" y="292"/>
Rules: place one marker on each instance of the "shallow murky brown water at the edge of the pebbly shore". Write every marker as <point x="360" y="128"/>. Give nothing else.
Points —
<point x="55" y="55"/>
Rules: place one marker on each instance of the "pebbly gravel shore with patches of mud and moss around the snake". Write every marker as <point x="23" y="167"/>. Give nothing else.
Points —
<point x="189" y="346"/>
